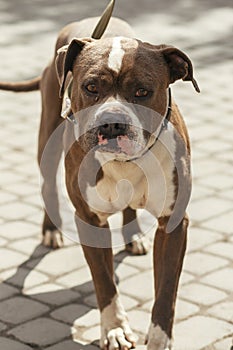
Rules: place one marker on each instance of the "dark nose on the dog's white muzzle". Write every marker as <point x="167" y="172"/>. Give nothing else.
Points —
<point x="112" y="125"/>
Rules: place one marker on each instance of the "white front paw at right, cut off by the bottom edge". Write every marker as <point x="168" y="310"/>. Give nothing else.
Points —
<point x="157" y="339"/>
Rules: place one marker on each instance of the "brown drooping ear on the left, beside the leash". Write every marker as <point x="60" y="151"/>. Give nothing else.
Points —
<point x="65" y="60"/>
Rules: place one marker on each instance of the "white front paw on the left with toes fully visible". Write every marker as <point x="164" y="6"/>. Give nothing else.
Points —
<point x="118" y="338"/>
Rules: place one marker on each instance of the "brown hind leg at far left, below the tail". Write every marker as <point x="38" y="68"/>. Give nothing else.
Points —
<point x="49" y="154"/>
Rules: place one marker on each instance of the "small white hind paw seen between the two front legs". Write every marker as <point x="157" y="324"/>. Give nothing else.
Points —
<point x="140" y="244"/>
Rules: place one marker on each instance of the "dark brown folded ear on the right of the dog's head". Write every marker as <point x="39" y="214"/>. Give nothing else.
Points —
<point x="179" y="65"/>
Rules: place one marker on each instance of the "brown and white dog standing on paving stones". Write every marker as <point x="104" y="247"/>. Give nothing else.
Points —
<point x="126" y="148"/>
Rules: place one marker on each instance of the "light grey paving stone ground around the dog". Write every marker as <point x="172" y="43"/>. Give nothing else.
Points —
<point x="47" y="299"/>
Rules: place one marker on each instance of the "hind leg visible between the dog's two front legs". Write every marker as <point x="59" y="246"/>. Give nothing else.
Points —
<point x="136" y="242"/>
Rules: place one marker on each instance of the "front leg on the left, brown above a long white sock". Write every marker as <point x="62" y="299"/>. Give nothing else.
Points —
<point x="115" y="330"/>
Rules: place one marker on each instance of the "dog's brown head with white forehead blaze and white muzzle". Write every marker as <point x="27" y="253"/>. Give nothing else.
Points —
<point x="120" y="90"/>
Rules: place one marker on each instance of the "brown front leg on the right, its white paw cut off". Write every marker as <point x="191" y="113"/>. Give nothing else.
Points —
<point x="169" y="249"/>
